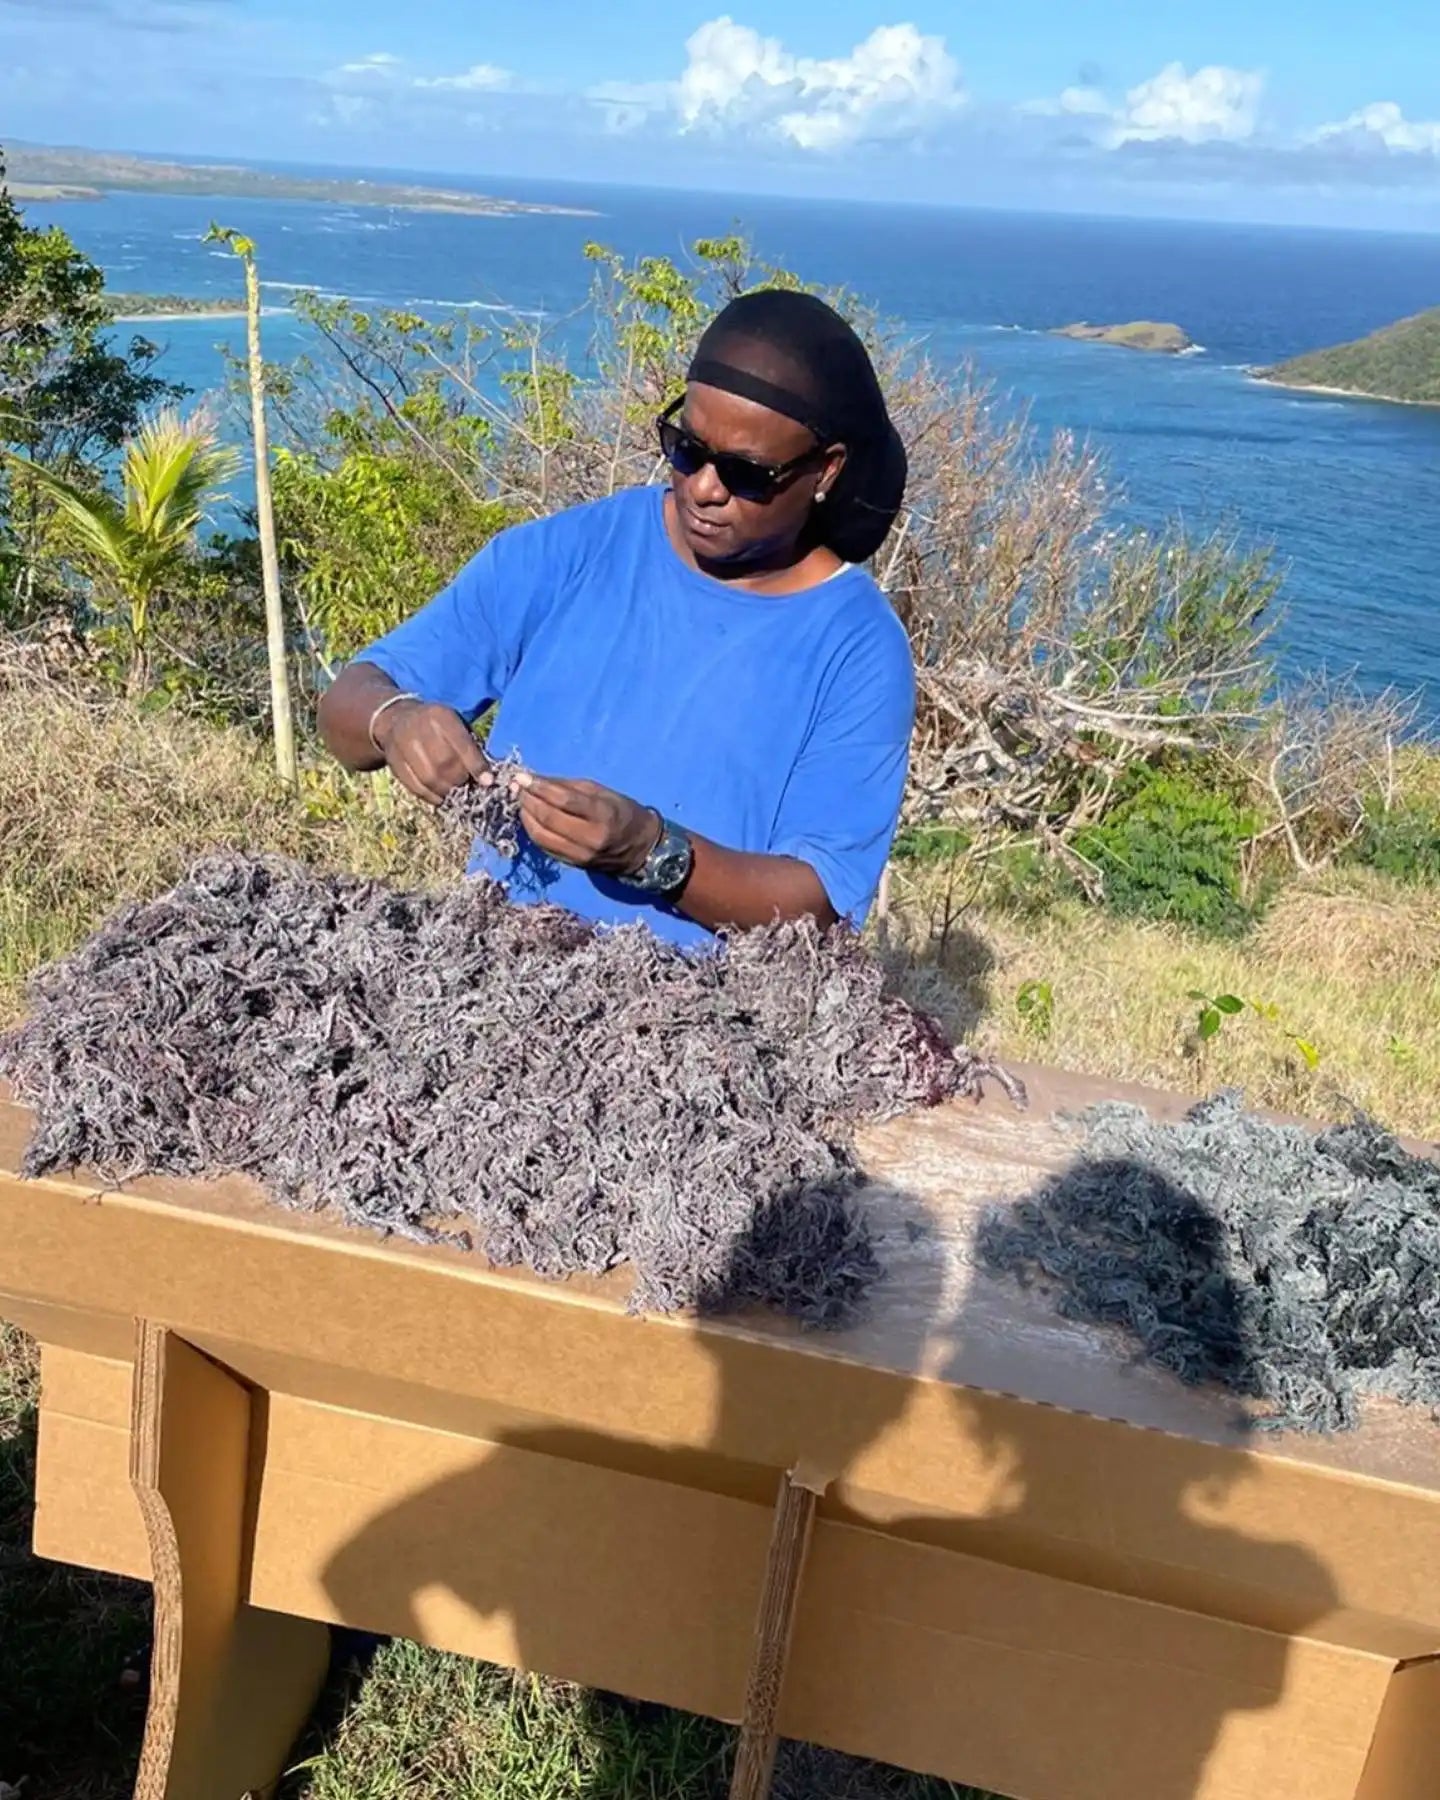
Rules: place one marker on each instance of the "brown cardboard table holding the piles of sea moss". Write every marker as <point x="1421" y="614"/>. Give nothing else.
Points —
<point x="1038" y="1567"/>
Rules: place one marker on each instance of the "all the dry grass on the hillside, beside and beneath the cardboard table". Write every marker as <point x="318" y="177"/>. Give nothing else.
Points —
<point x="105" y="805"/>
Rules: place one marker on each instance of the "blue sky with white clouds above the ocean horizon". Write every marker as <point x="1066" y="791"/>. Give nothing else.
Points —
<point x="1241" y="109"/>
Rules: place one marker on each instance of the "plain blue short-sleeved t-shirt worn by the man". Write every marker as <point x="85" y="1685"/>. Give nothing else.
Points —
<point x="762" y="723"/>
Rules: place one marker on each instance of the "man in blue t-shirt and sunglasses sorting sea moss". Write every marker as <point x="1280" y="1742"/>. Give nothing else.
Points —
<point x="710" y="697"/>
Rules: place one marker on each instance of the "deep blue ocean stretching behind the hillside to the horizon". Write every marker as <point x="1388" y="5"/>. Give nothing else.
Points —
<point x="1345" y="492"/>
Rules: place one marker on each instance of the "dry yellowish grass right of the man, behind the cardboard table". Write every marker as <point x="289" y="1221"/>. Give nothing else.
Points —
<point x="1349" y="962"/>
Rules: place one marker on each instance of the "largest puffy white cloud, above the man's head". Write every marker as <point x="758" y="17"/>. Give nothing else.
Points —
<point x="892" y="85"/>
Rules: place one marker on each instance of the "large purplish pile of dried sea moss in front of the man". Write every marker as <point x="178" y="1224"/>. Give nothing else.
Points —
<point x="577" y="1099"/>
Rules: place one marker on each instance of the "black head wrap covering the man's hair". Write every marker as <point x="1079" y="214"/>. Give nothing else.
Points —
<point x="796" y="355"/>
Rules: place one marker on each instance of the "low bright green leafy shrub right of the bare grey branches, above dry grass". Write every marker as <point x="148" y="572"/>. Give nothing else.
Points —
<point x="1171" y="850"/>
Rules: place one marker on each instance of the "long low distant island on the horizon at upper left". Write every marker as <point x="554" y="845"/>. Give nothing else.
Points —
<point x="91" y="174"/>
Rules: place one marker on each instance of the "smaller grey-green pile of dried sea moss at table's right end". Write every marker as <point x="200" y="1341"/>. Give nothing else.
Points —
<point x="1295" y="1268"/>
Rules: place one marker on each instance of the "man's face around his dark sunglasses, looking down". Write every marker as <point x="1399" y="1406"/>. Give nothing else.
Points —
<point x="715" y="525"/>
